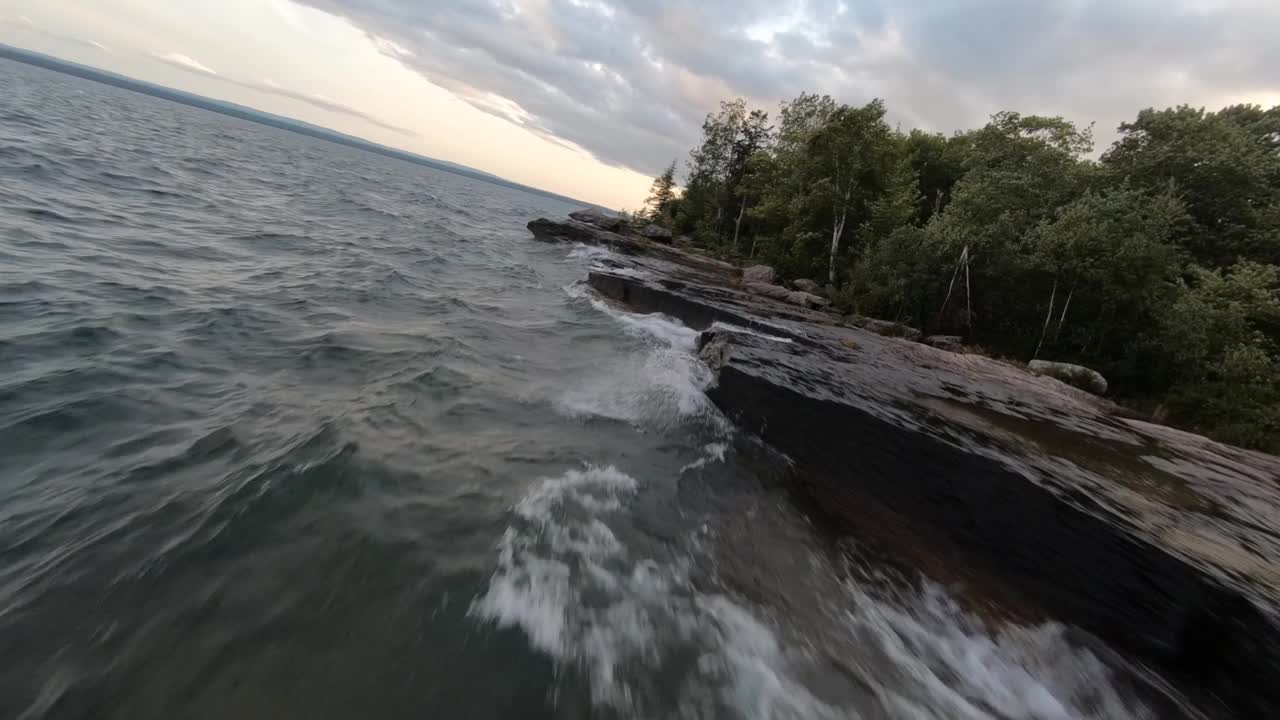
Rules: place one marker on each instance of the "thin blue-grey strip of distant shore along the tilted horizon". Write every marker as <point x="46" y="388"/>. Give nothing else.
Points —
<point x="259" y="117"/>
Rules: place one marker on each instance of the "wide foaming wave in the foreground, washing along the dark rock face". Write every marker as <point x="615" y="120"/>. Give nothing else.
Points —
<point x="642" y="628"/>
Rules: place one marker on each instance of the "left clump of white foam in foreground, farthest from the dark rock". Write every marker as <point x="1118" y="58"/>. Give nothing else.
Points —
<point x="587" y="600"/>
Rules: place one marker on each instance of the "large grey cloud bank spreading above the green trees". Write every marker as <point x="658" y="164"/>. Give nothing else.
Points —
<point x="632" y="80"/>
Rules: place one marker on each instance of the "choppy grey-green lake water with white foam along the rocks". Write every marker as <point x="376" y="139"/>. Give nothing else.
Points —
<point x="292" y="431"/>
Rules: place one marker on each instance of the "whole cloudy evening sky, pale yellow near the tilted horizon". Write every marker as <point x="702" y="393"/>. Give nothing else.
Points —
<point x="593" y="98"/>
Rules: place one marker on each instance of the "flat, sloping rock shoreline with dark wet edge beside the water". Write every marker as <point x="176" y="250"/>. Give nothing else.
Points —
<point x="1160" y="543"/>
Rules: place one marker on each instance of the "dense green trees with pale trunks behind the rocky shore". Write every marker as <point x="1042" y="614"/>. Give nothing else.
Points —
<point x="1158" y="263"/>
